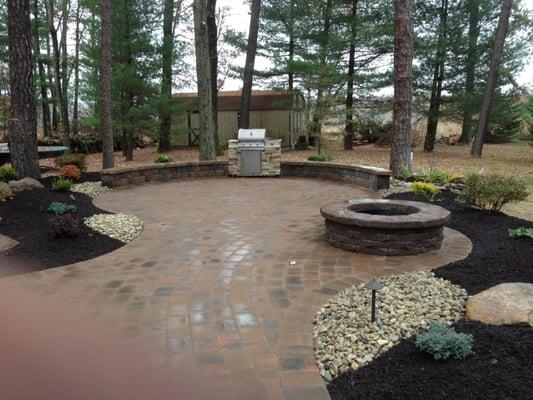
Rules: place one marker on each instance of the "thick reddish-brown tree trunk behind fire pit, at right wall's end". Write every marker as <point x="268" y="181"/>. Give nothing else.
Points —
<point x="403" y="65"/>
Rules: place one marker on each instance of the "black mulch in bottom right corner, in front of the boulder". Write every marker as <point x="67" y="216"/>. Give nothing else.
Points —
<point x="500" y="369"/>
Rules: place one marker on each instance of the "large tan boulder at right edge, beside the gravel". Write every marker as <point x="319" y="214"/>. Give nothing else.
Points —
<point x="506" y="303"/>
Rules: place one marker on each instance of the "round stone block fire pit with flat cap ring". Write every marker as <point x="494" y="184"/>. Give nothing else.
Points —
<point x="385" y="227"/>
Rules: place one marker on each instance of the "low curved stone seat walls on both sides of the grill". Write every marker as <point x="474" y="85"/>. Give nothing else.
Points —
<point x="360" y="175"/>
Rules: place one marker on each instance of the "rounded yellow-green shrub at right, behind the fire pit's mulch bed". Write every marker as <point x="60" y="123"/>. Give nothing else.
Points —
<point x="491" y="192"/>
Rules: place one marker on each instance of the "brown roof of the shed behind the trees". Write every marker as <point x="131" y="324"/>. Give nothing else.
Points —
<point x="262" y="100"/>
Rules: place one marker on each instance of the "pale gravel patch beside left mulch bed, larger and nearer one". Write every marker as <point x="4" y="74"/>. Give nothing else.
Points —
<point x="121" y="227"/>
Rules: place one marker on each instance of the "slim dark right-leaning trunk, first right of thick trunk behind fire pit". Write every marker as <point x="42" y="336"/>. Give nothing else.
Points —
<point x="438" y="77"/>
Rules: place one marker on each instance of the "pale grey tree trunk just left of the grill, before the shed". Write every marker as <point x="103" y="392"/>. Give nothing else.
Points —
<point x="207" y="122"/>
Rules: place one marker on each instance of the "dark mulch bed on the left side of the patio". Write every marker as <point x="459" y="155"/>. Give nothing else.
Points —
<point x="26" y="219"/>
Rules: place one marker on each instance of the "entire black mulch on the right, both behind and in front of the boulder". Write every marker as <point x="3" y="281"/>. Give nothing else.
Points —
<point x="501" y="368"/>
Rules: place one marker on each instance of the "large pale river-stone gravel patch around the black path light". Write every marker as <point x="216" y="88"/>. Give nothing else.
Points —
<point x="344" y="336"/>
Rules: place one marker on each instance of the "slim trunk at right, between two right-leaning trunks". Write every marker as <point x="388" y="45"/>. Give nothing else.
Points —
<point x="471" y="58"/>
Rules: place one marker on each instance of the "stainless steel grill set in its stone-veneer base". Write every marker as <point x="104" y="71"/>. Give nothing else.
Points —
<point x="253" y="155"/>
